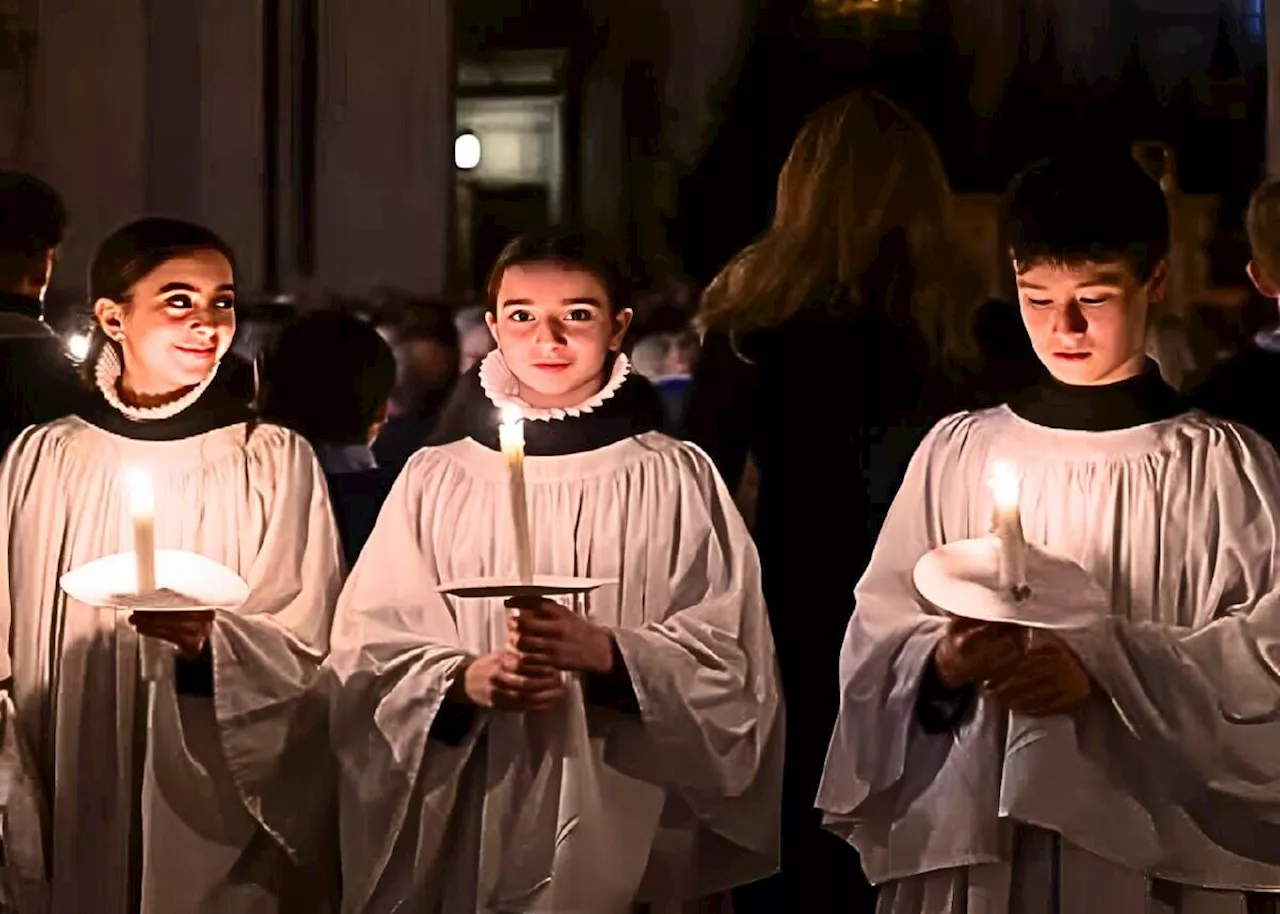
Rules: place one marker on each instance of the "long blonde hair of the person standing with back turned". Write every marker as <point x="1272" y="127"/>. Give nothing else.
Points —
<point x="861" y="171"/>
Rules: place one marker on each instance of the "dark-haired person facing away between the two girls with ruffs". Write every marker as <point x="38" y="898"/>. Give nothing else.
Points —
<point x="330" y="380"/>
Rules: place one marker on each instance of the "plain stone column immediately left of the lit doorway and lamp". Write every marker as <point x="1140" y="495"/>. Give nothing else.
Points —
<point x="385" y="129"/>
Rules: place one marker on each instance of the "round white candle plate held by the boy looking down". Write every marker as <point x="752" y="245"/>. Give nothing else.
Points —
<point x="964" y="579"/>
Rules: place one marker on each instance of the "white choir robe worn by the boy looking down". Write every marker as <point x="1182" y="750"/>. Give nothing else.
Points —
<point x="1163" y="793"/>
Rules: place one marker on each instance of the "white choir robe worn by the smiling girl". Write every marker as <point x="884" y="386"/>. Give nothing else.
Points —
<point x="200" y="811"/>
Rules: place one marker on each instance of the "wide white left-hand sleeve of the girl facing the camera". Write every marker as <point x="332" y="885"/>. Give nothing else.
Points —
<point x="395" y="655"/>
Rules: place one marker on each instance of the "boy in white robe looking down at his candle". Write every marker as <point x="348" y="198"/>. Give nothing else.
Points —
<point x="1132" y="767"/>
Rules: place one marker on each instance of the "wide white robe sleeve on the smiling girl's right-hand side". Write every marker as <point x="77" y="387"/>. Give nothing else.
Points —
<point x="267" y="655"/>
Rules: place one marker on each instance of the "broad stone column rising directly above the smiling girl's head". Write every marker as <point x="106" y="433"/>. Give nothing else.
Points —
<point x="152" y="107"/>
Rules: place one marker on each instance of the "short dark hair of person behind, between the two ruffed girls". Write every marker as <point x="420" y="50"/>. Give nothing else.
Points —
<point x="328" y="378"/>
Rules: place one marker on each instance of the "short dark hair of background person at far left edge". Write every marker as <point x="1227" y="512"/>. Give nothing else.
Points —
<point x="33" y="223"/>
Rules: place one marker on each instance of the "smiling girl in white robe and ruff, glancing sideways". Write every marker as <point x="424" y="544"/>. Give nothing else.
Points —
<point x="117" y="796"/>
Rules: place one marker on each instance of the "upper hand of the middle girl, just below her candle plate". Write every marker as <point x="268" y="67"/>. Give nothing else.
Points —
<point x="547" y="634"/>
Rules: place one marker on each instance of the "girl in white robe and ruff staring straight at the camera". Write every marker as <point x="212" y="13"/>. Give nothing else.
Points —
<point x="560" y="761"/>
